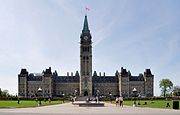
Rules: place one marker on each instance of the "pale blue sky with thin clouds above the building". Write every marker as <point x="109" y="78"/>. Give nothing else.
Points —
<point x="134" y="34"/>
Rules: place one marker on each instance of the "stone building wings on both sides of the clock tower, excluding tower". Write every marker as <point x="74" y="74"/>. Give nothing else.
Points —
<point x="120" y="84"/>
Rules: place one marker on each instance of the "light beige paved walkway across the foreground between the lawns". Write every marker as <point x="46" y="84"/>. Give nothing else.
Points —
<point x="68" y="108"/>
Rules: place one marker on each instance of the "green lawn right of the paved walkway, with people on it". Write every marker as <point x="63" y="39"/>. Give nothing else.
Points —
<point x="150" y="103"/>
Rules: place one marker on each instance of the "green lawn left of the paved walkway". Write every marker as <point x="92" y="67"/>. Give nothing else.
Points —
<point x="24" y="103"/>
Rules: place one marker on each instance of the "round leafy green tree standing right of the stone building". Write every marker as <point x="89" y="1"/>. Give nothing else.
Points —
<point x="166" y="85"/>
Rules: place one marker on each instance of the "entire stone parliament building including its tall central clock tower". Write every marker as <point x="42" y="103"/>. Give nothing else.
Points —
<point x="85" y="82"/>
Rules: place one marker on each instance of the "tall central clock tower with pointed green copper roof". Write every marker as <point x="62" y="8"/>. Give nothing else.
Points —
<point x="85" y="61"/>
